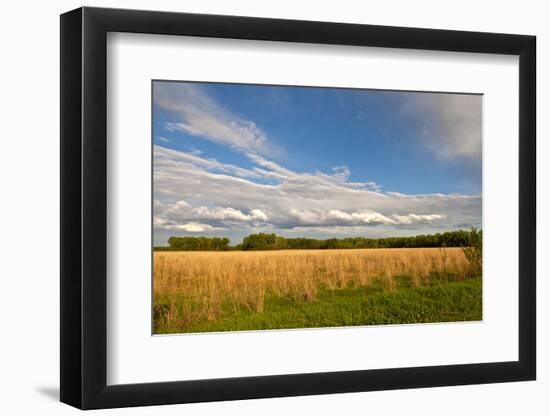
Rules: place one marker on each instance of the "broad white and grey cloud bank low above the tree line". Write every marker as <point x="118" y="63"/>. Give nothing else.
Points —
<point x="190" y="189"/>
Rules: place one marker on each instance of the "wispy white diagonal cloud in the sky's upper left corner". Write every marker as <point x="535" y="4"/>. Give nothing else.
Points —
<point x="199" y="115"/>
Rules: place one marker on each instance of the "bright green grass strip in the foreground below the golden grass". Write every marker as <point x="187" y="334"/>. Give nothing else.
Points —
<point x="440" y="301"/>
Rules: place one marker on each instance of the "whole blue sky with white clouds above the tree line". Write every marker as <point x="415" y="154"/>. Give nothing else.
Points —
<point x="232" y="159"/>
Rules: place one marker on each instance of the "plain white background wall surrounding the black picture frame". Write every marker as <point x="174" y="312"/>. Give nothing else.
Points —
<point x="29" y="178"/>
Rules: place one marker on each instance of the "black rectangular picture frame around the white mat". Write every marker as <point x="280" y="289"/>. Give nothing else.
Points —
<point x="84" y="207"/>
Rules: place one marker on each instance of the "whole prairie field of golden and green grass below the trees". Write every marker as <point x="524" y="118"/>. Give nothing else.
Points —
<point x="240" y="290"/>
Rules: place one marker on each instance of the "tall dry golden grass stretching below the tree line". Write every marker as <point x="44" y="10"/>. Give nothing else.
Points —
<point x="209" y="282"/>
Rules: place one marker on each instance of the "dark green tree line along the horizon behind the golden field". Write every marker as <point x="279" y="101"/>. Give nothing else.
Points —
<point x="271" y="241"/>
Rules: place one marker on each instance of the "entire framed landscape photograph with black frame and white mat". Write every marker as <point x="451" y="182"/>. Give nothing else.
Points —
<point x="258" y="208"/>
